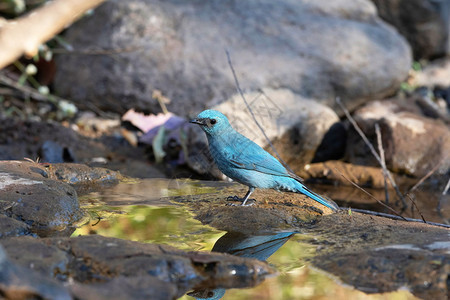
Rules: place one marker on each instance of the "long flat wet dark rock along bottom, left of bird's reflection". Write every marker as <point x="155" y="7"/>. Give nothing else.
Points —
<point x="102" y="268"/>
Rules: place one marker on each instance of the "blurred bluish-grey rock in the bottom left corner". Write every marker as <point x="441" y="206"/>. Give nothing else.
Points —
<point x="19" y="283"/>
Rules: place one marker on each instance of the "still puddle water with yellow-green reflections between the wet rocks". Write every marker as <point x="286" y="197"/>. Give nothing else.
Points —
<point x="138" y="211"/>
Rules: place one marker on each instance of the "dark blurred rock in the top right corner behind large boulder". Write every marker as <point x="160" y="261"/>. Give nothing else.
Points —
<point x="422" y="22"/>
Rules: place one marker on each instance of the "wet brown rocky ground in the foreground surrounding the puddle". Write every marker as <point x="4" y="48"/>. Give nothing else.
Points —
<point x="39" y="259"/>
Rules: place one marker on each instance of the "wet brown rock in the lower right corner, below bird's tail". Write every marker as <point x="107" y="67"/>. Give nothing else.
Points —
<point x="378" y="255"/>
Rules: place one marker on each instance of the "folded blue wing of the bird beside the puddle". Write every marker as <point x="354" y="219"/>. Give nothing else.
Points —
<point x="257" y="159"/>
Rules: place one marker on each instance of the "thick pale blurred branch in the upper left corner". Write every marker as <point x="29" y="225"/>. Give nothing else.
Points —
<point x="24" y="34"/>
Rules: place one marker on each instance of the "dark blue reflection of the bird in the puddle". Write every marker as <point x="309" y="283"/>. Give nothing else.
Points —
<point x="259" y="247"/>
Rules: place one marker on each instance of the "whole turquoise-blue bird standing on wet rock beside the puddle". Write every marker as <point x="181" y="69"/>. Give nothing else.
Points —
<point x="244" y="161"/>
